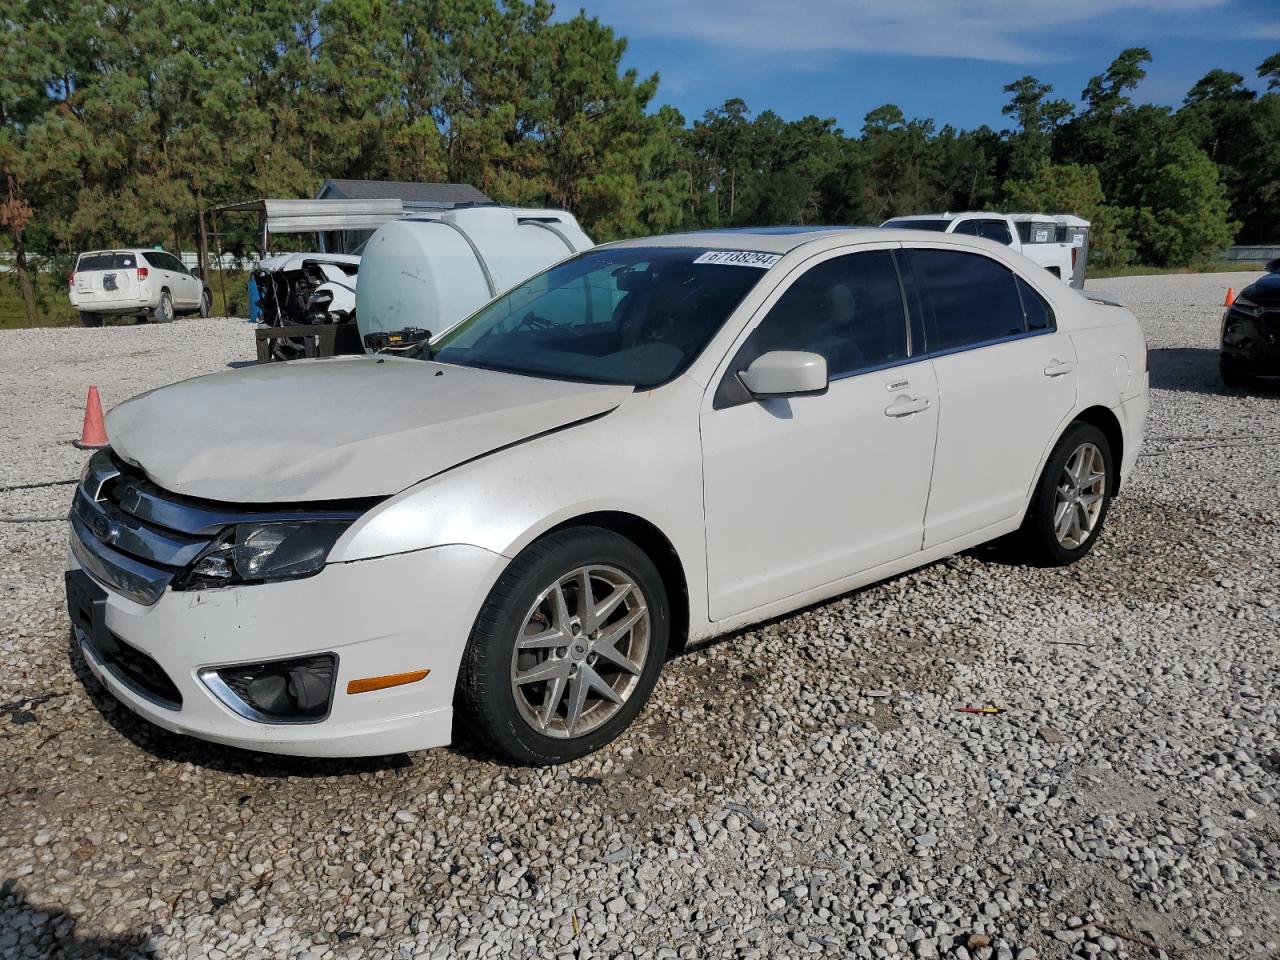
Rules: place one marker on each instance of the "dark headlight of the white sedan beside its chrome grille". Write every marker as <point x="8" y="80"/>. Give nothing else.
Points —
<point x="253" y="554"/>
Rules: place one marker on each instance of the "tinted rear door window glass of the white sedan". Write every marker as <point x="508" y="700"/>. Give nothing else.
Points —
<point x="975" y="300"/>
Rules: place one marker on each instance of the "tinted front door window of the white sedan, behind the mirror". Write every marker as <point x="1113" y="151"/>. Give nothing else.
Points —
<point x="848" y="309"/>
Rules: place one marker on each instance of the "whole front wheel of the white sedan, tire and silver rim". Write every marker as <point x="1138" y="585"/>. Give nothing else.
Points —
<point x="568" y="647"/>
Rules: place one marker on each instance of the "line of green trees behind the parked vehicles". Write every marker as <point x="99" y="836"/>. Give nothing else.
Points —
<point x="122" y="120"/>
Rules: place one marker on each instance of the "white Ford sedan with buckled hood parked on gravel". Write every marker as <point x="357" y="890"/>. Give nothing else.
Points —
<point x="652" y="442"/>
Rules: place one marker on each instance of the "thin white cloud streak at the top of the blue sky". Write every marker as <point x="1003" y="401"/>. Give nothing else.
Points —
<point x="976" y="30"/>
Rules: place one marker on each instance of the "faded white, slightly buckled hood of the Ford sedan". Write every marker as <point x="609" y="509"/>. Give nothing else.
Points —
<point x="337" y="429"/>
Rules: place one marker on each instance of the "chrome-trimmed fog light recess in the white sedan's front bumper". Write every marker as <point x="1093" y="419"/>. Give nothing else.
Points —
<point x="298" y="691"/>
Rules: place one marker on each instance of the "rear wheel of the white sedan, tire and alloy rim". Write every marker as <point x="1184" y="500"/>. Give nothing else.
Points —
<point x="1071" y="501"/>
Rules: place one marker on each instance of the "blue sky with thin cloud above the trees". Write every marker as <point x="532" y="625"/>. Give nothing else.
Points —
<point x="947" y="60"/>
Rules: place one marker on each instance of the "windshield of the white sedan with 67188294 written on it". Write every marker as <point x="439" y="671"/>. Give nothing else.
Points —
<point x="628" y="316"/>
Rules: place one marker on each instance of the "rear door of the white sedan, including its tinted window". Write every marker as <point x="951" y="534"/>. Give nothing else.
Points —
<point x="1007" y="385"/>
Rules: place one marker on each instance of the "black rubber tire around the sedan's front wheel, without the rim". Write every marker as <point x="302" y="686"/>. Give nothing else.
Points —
<point x="486" y="698"/>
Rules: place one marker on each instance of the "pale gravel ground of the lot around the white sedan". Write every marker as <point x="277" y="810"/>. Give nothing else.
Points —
<point x="770" y="802"/>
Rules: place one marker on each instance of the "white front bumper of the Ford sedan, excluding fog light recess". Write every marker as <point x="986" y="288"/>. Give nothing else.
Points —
<point x="383" y="616"/>
